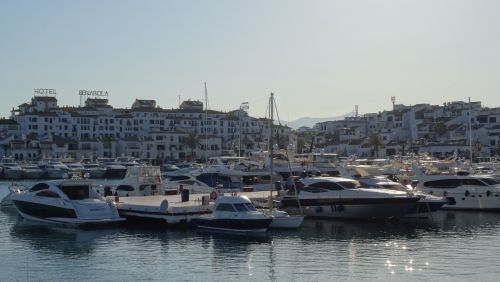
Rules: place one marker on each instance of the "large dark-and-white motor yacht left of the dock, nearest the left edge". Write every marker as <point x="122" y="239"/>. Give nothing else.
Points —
<point x="65" y="202"/>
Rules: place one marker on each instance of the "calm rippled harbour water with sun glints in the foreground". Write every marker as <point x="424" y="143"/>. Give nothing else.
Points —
<point x="454" y="246"/>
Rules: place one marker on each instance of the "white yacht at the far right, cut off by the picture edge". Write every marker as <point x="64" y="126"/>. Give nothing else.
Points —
<point x="464" y="192"/>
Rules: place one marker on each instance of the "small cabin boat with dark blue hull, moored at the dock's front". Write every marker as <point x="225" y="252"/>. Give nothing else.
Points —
<point x="234" y="214"/>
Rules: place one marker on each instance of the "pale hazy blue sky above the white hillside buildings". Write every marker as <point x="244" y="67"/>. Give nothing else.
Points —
<point x="320" y="58"/>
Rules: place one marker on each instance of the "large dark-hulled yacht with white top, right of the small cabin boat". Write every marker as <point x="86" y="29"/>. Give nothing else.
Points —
<point x="336" y="197"/>
